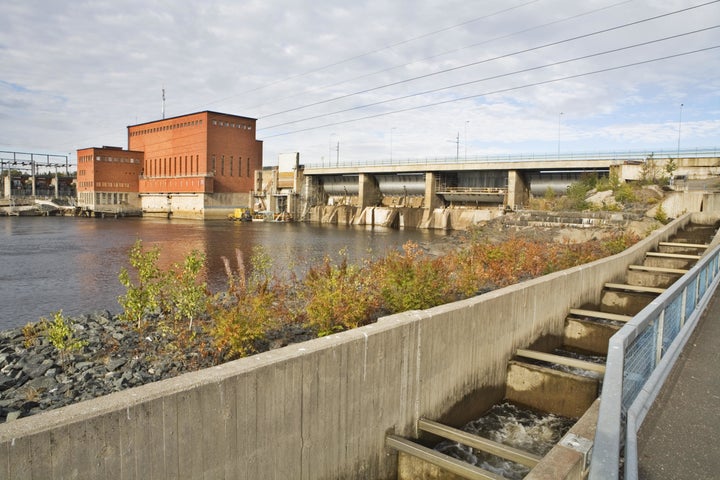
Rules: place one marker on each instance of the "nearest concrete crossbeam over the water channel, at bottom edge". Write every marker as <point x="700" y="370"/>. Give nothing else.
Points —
<point x="445" y="462"/>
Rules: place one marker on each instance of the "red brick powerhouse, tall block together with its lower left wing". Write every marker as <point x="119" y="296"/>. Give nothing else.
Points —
<point x="200" y="165"/>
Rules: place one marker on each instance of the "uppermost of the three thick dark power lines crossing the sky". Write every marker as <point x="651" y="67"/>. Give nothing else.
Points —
<point x="472" y="64"/>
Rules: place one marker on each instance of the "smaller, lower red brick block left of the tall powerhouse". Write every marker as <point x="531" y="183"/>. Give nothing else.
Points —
<point x="108" y="179"/>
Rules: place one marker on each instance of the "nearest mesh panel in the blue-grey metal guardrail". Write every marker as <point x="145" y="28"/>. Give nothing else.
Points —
<point x="639" y="364"/>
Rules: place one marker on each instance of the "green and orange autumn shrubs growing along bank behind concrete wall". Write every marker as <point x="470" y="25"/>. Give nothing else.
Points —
<point x="333" y="296"/>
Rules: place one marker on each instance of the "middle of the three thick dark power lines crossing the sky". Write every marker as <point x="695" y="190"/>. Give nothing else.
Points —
<point x="494" y="77"/>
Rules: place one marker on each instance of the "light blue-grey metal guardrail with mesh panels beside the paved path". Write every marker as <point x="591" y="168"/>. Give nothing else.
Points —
<point x="640" y="357"/>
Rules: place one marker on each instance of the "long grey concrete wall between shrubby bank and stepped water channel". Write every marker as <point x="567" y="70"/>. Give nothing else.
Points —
<point x="316" y="410"/>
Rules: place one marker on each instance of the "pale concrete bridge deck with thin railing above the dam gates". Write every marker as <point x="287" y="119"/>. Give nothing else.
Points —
<point x="620" y="156"/>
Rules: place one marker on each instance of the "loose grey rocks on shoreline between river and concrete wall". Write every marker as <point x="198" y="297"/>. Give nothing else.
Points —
<point x="36" y="376"/>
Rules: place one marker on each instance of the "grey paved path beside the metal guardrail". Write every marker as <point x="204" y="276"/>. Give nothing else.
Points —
<point x="680" y="437"/>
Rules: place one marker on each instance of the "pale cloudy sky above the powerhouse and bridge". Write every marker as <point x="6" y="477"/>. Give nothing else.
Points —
<point x="381" y="78"/>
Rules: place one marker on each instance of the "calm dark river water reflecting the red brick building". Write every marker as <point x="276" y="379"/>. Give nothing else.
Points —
<point x="69" y="263"/>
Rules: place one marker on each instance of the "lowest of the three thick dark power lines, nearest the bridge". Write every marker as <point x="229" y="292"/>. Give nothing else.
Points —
<point x="504" y="90"/>
